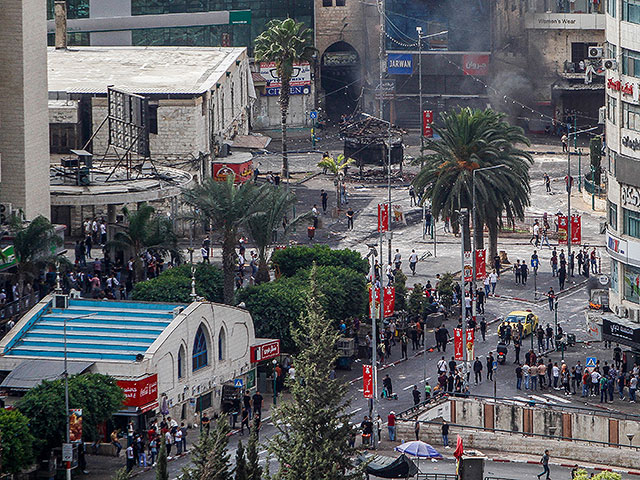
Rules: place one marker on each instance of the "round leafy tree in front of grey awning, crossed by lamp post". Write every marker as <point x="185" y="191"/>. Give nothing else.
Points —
<point x="97" y="395"/>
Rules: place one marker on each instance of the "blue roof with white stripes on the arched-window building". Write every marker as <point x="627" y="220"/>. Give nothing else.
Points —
<point x="96" y="330"/>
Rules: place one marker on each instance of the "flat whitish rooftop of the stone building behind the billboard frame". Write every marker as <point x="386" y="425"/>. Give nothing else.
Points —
<point x="142" y="70"/>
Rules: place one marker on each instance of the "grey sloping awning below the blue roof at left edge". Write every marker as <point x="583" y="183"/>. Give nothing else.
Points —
<point x="31" y="373"/>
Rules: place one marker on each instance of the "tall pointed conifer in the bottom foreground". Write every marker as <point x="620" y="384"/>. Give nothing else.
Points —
<point x="313" y="428"/>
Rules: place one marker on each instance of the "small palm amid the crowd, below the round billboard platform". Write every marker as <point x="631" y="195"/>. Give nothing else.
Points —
<point x="145" y="230"/>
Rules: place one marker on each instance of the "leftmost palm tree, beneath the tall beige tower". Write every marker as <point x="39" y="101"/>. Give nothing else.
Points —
<point x="35" y="245"/>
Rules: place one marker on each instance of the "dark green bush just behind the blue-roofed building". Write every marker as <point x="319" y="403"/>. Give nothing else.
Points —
<point x="174" y="285"/>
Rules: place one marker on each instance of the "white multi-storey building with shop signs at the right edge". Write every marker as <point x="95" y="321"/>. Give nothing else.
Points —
<point x="623" y="159"/>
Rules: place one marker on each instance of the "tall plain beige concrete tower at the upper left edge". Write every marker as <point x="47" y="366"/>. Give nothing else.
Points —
<point x="24" y="151"/>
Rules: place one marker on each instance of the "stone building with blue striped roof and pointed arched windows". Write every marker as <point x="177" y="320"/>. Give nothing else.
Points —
<point x="173" y="359"/>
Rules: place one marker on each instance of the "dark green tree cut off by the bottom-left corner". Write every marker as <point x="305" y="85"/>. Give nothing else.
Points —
<point x="16" y="440"/>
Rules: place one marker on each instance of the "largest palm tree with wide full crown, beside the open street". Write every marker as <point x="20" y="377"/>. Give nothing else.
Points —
<point x="472" y="139"/>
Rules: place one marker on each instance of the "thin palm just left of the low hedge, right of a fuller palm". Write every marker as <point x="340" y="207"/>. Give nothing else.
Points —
<point x="261" y="226"/>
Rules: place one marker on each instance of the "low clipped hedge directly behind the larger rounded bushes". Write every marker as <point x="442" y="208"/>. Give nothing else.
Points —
<point x="291" y="260"/>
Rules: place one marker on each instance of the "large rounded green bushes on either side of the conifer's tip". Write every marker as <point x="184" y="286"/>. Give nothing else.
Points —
<point x="276" y="306"/>
